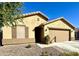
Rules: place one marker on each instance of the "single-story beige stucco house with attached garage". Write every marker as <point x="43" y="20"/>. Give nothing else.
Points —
<point x="35" y="27"/>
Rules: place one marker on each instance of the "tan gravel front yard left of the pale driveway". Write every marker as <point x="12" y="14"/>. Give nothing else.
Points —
<point x="22" y="50"/>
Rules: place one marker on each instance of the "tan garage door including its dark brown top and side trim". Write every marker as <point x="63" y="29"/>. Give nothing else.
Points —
<point x="59" y="35"/>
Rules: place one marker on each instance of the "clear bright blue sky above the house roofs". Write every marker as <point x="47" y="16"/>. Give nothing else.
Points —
<point x="68" y="10"/>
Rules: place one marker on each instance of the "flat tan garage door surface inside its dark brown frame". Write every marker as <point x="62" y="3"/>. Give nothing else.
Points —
<point x="59" y="35"/>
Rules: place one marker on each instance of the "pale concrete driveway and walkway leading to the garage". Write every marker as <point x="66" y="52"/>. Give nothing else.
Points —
<point x="72" y="46"/>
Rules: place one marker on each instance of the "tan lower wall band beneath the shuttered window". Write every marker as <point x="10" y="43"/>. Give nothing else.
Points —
<point x="17" y="41"/>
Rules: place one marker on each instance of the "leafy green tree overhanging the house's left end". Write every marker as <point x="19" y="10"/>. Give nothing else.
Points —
<point x="8" y="12"/>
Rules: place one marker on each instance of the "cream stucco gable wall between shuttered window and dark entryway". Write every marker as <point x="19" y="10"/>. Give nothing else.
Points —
<point x="32" y="23"/>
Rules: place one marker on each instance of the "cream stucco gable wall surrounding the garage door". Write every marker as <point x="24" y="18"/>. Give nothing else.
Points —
<point x="59" y="24"/>
